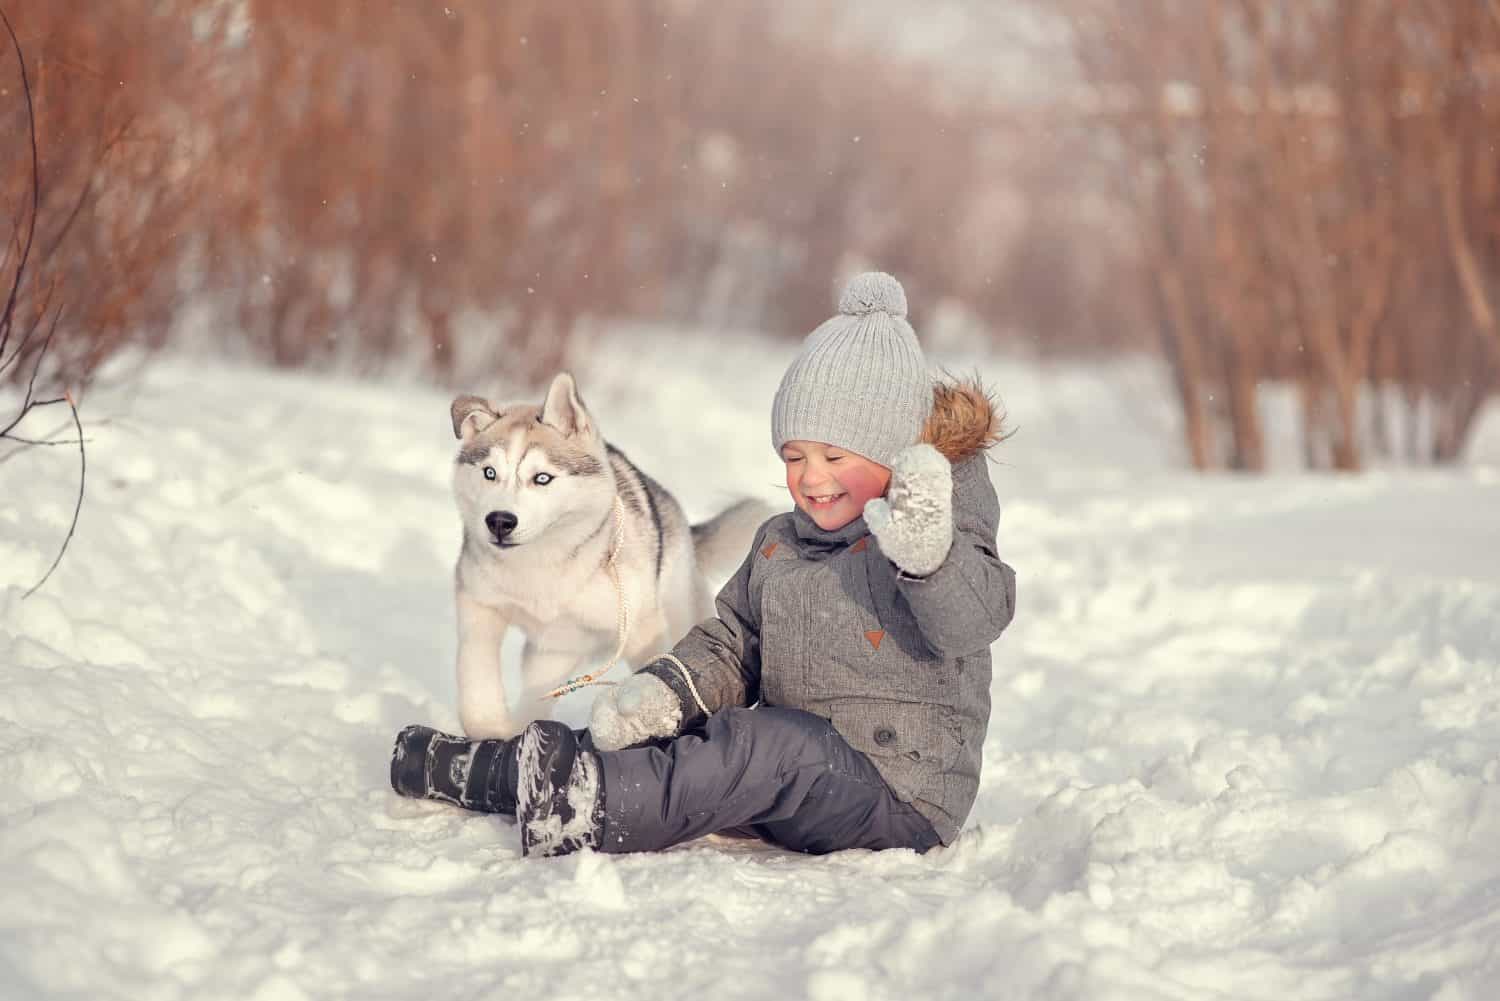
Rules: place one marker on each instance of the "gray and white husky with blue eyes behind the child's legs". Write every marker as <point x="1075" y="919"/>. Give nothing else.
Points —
<point x="566" y="540"/>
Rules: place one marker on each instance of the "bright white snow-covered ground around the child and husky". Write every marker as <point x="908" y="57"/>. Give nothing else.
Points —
<point x="1246" y="738"/>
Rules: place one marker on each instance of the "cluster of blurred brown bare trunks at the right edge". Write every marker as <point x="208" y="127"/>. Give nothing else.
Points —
<point x="1315" y="200"/>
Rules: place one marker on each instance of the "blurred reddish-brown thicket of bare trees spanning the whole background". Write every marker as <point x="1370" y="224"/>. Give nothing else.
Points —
<point x="1283" y="191"/>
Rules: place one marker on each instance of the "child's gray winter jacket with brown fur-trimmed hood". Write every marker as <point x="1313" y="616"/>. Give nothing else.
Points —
<point x="823" y="622"/>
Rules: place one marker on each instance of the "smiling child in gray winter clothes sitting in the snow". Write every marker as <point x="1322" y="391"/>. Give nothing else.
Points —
<point x="841" y="697"/>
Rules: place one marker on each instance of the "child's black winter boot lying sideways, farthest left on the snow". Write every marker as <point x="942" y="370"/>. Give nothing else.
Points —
<point x="478" y="775"/>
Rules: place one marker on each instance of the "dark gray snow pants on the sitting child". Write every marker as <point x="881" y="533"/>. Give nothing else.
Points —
<point x="776" y="774"/>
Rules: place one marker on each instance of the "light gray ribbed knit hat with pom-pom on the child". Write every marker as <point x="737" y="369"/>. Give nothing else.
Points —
<point x="860" y="380"/>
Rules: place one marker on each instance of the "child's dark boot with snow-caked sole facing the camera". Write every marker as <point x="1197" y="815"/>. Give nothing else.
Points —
<point x="557" y="792"/>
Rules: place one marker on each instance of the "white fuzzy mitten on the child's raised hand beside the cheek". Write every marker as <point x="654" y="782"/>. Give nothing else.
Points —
<point x="914" y="520"/>
